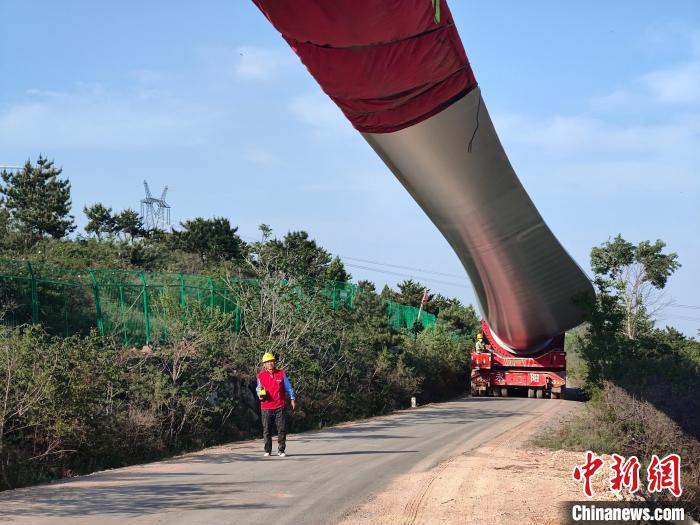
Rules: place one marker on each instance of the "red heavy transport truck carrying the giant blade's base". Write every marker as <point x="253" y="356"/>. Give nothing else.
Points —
<point x="497" y="371"/>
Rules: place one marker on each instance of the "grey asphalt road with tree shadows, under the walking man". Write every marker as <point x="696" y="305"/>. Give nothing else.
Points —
<point x="325" y="475"/>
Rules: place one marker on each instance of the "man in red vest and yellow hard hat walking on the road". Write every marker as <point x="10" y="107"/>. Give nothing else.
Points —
<point x="273" y="390"/>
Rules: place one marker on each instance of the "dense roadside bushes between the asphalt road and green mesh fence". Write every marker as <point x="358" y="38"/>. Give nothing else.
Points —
<point x="81" y="403"/>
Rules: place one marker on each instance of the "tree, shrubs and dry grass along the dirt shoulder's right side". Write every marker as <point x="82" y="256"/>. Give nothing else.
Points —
<point x="642" y="380"/>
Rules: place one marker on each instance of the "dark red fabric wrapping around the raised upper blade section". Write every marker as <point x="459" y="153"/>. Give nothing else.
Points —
<point x="388" y="64"/>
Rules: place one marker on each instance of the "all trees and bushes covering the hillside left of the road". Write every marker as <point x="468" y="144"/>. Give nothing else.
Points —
<point x="72" y="403"/>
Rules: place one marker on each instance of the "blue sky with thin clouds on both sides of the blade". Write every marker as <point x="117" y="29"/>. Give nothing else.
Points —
<point x="597" y="104"/>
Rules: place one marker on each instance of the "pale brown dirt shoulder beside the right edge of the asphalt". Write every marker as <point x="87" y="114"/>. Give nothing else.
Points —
<point x="505" y="481"/>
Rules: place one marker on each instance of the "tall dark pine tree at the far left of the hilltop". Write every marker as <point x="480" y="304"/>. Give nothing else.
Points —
<point x="38" y="200"/>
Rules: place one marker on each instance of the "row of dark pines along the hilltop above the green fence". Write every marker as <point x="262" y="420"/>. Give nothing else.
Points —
<point x="36" y="221"/>
